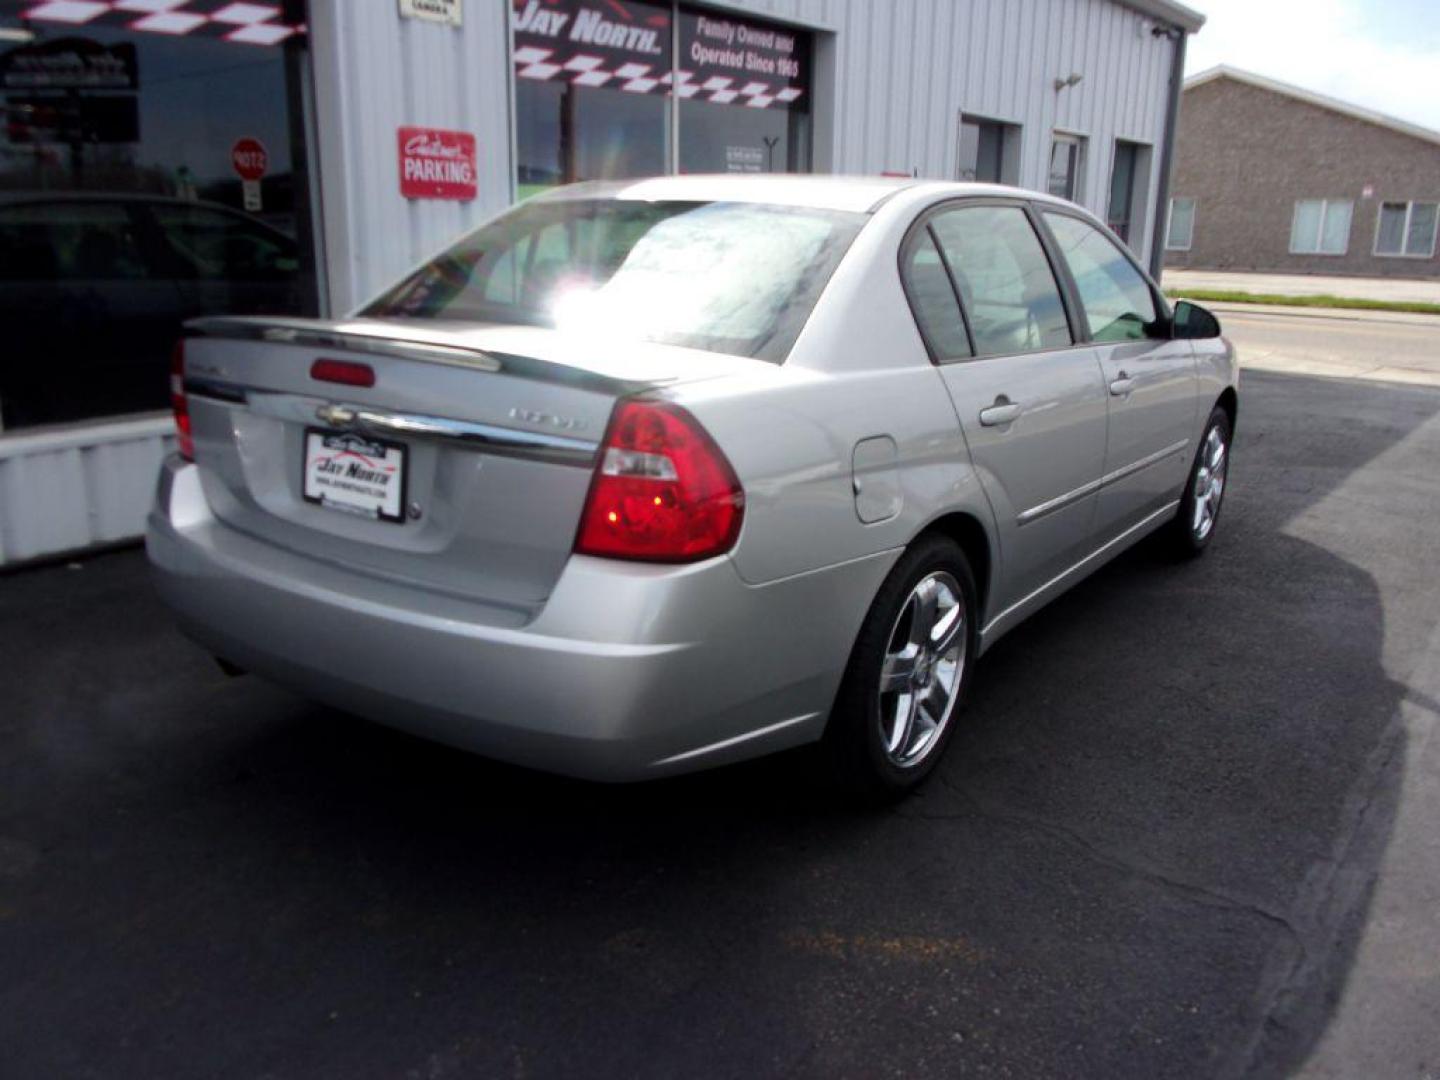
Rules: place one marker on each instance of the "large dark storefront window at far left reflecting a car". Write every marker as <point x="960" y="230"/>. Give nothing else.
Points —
<point x="123" y="207"/>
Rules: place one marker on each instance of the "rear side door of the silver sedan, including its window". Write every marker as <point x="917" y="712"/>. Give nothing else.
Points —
<point x="1030" y="400"/>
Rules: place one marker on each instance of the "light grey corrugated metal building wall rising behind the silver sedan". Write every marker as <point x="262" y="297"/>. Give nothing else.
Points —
<point x="905" y="73"/>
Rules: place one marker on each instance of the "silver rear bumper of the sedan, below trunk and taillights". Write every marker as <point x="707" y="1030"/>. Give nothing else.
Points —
<point x="629" y="672"/>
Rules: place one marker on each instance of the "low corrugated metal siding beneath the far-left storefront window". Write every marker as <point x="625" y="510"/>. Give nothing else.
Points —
<point x="80" y="487"/>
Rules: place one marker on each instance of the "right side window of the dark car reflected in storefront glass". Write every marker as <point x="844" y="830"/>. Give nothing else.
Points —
<point x="221" y="247"/>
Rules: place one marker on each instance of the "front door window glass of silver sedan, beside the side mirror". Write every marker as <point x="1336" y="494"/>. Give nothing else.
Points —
<point x="1117" y="300"/>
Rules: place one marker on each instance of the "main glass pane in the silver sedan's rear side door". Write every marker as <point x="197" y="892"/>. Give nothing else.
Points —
<point x="1006" y="282"/>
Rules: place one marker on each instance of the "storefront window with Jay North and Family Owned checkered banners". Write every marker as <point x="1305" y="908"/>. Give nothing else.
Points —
<point x="597" y="81"/>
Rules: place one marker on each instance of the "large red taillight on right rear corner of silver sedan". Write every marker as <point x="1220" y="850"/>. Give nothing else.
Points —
<point x="663" y="492"/>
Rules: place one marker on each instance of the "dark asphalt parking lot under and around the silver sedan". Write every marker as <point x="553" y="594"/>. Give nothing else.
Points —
<point x="1160" y="845"/>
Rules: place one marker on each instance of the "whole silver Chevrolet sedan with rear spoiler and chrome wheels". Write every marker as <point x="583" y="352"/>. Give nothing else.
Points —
<point x="649" y="477"/>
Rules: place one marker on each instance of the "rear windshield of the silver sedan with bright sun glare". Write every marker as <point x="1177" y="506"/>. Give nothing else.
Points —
<point x="737" y="279"/>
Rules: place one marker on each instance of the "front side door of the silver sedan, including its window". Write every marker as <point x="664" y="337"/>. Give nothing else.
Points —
<point x="1150" y="379"/>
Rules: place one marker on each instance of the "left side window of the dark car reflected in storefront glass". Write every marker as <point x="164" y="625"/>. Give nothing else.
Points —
<point x="68" y="241"/>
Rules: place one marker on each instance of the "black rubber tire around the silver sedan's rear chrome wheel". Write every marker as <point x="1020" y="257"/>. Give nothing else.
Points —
<point x="855" y="747"/>
